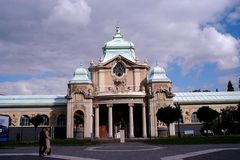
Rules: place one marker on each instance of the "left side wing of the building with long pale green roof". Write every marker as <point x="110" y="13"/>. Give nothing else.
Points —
<point x="21" y="108"/>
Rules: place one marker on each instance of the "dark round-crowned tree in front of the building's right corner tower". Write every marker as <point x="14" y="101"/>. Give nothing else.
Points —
<point x="168" y="115"/>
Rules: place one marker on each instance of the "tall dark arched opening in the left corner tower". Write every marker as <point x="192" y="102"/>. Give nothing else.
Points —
<point x="78" y="124"/>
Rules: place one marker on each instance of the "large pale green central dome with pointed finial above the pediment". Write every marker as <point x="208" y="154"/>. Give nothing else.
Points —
<point x="118" y="46"/>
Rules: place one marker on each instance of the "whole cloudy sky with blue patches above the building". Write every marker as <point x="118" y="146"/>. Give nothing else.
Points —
<point x="43" y="42"/>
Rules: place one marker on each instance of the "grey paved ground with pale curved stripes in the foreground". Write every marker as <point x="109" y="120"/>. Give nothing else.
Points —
<point x="129" y="151"/>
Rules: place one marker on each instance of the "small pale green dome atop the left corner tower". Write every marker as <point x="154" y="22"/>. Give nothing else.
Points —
<point x="80" y="76"/>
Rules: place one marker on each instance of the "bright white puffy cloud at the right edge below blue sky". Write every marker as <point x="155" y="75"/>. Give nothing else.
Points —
<point x="211" y="46"/>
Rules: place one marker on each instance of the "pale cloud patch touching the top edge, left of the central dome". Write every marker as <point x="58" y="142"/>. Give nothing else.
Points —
<point x="70" y="12"/>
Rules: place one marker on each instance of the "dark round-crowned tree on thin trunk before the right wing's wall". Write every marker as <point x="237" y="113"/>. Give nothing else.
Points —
<point x="206" y="115"/>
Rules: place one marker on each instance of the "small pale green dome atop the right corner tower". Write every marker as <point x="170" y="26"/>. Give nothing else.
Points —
<point x="158" y="74"/>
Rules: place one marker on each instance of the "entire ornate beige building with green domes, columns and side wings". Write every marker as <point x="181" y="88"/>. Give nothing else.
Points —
<point x="118" y="92"/>
